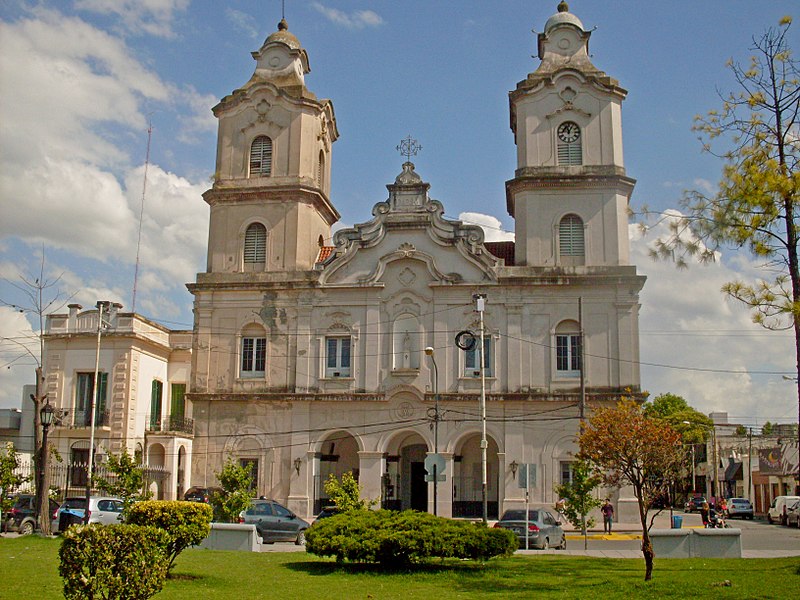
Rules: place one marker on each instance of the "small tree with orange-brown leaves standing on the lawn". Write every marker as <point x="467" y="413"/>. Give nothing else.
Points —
<point x="627" y="447"/>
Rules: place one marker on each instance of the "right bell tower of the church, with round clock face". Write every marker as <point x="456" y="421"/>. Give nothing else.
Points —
<point x="570" y="194"/>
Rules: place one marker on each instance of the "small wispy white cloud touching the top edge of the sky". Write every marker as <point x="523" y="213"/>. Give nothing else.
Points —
<point x="153" y="17"/>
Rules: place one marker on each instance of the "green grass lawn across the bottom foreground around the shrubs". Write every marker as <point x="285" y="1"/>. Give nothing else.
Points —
<point x="29" y="569"/>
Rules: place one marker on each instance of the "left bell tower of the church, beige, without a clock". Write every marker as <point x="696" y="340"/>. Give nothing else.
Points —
<point x="270" y="200"/>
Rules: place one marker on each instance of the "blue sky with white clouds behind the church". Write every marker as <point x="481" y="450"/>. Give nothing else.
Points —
<point x="79" y="81"/>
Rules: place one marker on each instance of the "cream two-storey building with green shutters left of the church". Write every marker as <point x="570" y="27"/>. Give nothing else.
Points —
<point x="143" y="373"/>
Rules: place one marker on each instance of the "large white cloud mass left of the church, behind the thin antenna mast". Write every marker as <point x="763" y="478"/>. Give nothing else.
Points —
<point x="72" y="184"/>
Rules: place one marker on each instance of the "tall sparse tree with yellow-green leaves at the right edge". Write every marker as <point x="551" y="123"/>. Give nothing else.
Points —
<point x="757" y="205"/>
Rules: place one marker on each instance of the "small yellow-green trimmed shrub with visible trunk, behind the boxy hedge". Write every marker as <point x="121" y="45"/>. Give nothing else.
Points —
<point x="186" y="523"/>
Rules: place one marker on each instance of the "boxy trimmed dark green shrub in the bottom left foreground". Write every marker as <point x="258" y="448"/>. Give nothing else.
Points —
<point x="114" y="562"/>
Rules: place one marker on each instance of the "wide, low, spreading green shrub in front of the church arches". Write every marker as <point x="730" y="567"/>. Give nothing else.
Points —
<point x="402" y="538"/>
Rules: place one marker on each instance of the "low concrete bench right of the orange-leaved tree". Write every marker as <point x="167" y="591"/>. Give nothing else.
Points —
<point x="700" y="543"/>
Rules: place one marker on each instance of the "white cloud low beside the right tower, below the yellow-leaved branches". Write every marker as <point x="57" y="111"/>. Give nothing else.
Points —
<point x="687" y="322"/>
